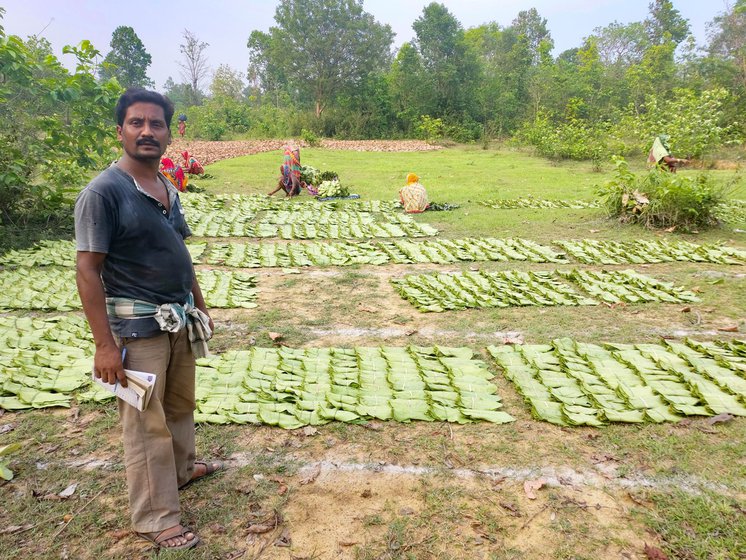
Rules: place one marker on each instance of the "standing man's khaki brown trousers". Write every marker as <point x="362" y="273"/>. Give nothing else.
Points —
<point x="159" y="442"/>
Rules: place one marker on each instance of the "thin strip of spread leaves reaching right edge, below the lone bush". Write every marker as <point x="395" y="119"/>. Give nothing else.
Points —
<point x="591" y="251"/>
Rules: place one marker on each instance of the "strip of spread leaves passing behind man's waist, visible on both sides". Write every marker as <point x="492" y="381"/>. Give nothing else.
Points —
<point x="53" y="289"/>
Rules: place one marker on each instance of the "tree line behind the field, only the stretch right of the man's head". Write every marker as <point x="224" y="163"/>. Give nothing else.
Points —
<point x="327" y="67"/>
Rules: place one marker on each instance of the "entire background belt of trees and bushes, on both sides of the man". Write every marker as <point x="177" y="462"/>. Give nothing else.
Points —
<point x="327" y="68"/>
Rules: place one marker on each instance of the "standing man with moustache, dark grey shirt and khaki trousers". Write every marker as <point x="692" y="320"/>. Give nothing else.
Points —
<point x="140" y="295"/>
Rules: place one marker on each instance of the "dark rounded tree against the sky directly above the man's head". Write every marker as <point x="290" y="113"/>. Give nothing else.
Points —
<point x="127" y="61"/>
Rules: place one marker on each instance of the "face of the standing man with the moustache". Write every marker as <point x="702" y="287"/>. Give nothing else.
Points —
<point x="144" y="135"/>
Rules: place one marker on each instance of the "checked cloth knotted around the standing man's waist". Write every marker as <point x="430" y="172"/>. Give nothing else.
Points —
<point x="171" y="317"/>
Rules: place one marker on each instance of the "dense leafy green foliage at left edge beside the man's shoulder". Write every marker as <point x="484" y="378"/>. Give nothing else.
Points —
<point x="55" y="128"/>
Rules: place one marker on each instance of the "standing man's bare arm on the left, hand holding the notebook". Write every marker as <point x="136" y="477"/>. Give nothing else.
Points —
<point x="107" y="362"/>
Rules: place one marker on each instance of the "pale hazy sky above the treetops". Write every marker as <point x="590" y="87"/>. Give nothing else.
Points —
<point x="226" y="24"/>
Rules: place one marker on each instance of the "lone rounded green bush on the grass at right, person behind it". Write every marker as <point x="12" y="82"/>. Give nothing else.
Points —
<point x="659" y="199"/>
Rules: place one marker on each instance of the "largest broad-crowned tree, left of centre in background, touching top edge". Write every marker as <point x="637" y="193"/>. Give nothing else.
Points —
<point x="320" y="48"/>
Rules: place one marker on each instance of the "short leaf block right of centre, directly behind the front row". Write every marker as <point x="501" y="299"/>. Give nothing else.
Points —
<point x="442" y="292"/>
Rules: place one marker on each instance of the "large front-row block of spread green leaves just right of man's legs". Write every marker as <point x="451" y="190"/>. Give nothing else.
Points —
<point x="291" y="388"/>
